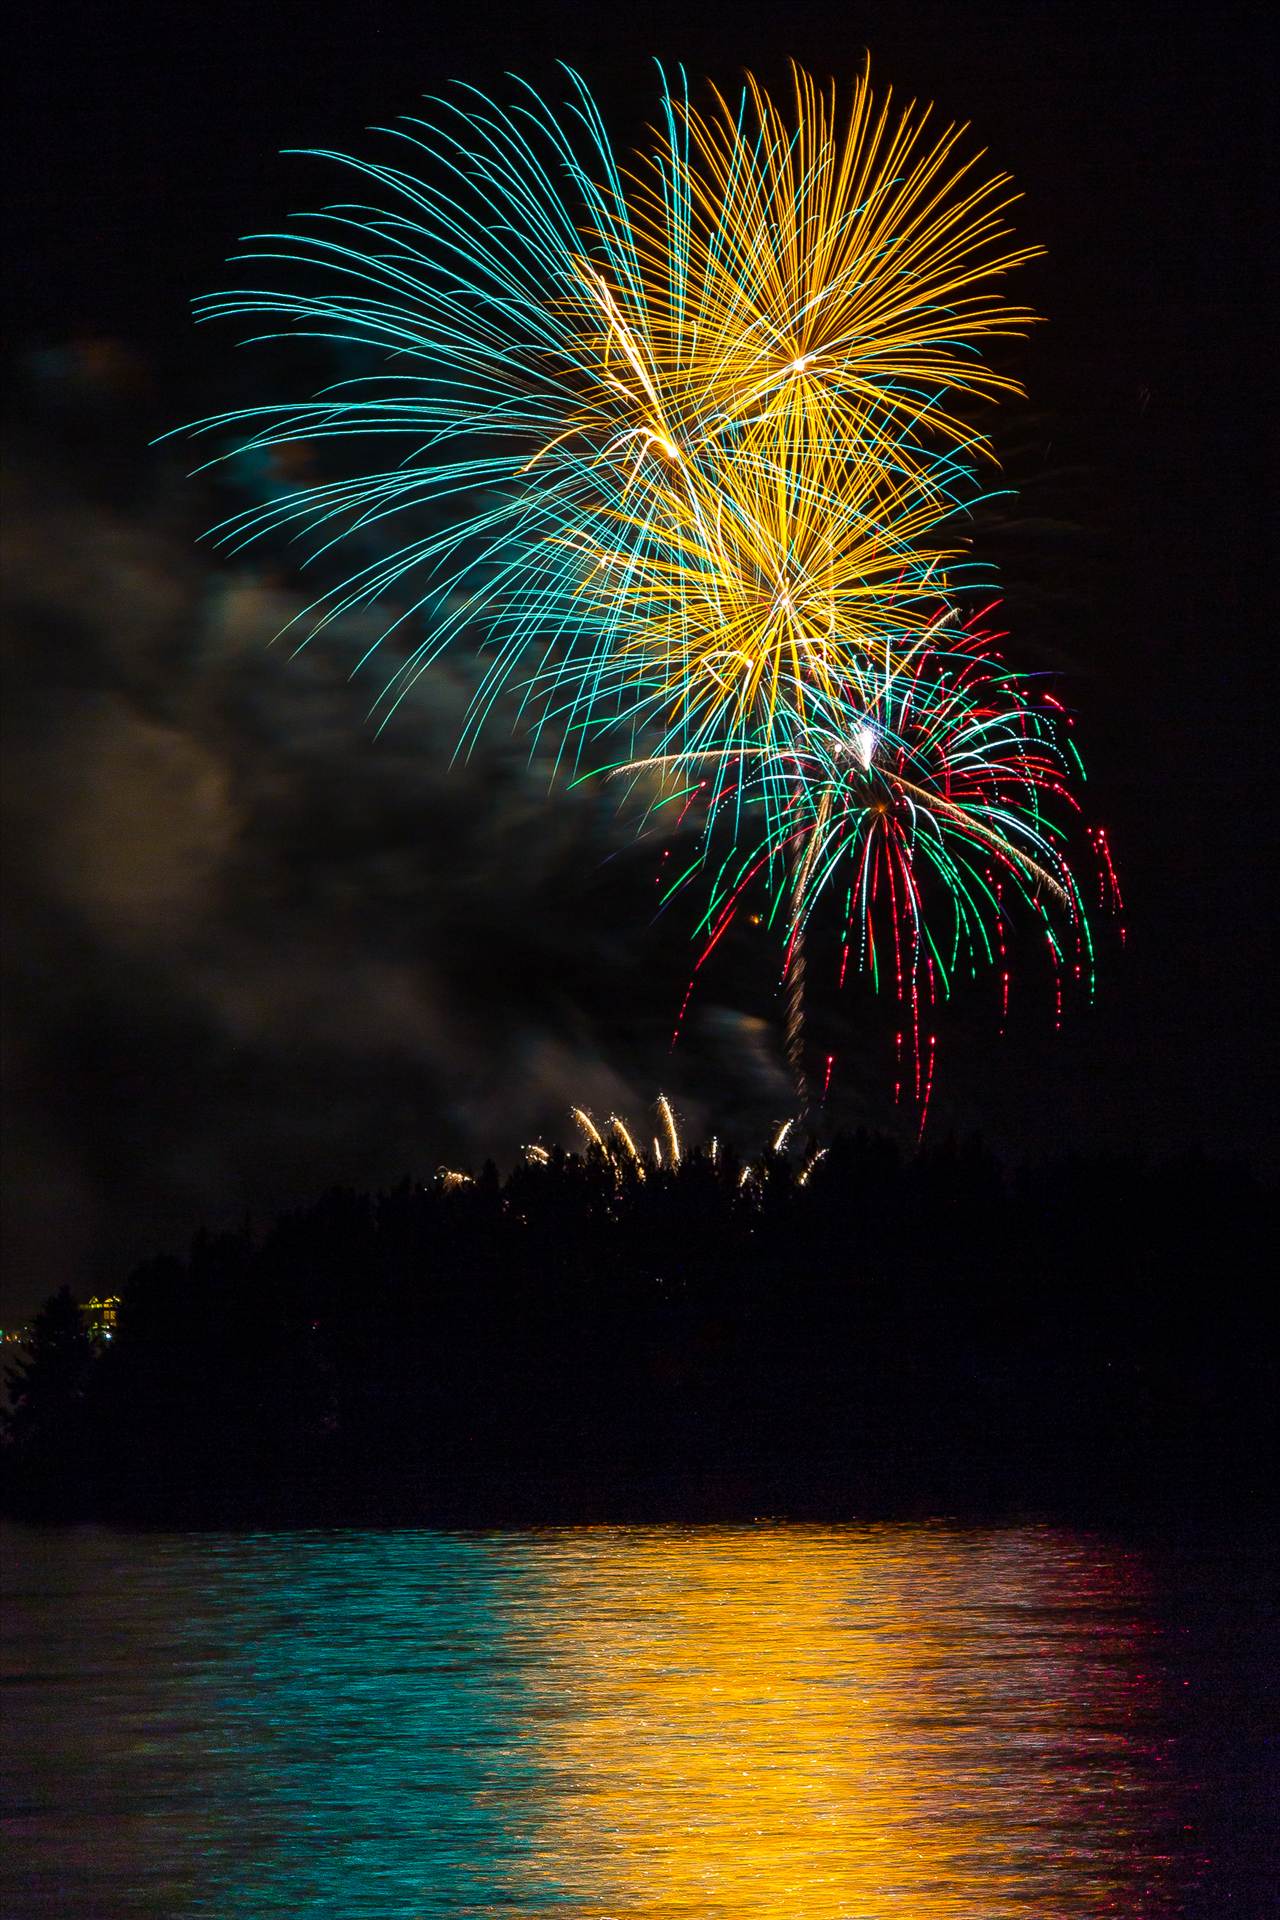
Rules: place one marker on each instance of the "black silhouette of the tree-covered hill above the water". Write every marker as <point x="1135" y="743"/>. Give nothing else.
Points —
<point x="889" y="1335"/>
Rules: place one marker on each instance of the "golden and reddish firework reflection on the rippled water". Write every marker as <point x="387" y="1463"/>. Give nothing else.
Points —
<point x="841" y="1727"/>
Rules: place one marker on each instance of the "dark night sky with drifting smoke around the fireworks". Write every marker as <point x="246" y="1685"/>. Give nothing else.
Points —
<point x="250" y="949"/>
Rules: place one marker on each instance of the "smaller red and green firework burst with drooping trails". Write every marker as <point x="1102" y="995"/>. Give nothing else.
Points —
<point x="932" y="800"/>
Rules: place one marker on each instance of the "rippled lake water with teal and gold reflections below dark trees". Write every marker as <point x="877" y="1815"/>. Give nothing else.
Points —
<point x="663" y="1723"/>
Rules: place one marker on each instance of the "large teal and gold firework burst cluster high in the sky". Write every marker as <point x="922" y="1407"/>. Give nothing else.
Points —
<point x="598" y="385"/>
